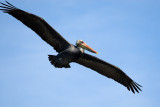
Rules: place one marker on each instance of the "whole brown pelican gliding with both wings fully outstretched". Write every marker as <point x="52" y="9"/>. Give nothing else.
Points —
<point x="67" y="52"/>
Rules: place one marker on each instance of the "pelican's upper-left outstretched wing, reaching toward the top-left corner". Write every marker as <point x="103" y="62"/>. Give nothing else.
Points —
<point x="38" y="25"/>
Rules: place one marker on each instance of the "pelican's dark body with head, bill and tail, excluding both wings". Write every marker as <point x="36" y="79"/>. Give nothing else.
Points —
<point x="70" y="54"/>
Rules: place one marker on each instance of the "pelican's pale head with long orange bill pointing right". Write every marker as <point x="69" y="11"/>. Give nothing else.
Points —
<point x="84" y="46"/>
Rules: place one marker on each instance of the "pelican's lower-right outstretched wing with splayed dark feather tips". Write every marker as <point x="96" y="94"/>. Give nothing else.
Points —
<point x="109" y="71"/>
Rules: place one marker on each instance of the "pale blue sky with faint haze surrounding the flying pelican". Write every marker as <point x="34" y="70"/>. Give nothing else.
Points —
<point x="125" y="33"/>
